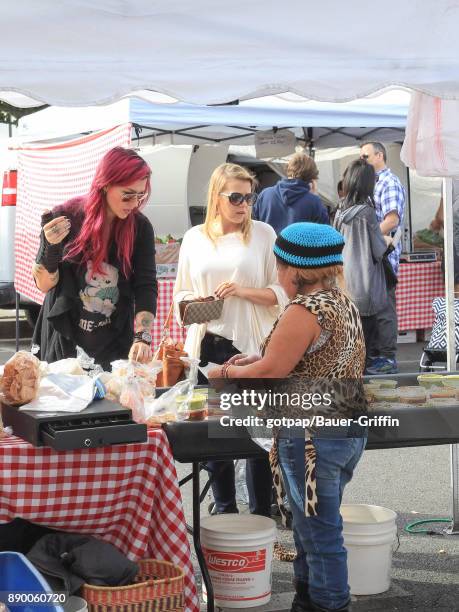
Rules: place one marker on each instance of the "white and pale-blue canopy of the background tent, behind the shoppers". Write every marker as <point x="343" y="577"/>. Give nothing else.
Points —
<point x="382" y="118"/>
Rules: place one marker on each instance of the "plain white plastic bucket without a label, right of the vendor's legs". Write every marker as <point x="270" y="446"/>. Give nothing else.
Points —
<point x="369" y="533"/>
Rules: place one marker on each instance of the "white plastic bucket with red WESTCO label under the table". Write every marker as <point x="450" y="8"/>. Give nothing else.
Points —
<point x="239" y="550"/>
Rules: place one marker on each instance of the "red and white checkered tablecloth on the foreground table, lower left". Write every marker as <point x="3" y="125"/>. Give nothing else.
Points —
<point x="125" y="494"/>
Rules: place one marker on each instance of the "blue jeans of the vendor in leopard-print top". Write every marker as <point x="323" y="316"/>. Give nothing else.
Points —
<point x="321" y="557"/>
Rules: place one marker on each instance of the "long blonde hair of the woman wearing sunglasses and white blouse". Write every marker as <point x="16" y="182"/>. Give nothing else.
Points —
<point x="217" y="182"/>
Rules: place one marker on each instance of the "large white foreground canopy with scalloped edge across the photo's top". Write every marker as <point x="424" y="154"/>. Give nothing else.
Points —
<point x="81" y="52"/>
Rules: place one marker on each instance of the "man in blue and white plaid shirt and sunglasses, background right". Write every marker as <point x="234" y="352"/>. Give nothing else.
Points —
<point x="389" y="197"/>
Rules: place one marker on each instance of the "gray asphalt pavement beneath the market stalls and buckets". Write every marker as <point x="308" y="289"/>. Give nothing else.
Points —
<point x="414" y="482"/>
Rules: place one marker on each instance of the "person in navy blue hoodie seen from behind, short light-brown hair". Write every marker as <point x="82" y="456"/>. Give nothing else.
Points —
<point x="291" y="200"/>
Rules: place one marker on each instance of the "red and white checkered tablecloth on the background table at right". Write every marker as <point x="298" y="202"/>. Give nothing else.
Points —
<point x="418" y="285"/>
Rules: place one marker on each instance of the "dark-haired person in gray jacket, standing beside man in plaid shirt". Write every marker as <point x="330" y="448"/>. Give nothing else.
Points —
<point x="364" y="246"/>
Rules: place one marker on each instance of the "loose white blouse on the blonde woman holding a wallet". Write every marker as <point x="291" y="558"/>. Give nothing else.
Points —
<point x="204" y="265"/>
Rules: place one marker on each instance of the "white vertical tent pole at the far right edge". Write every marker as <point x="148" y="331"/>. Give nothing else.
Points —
<point x="450" y="334"/>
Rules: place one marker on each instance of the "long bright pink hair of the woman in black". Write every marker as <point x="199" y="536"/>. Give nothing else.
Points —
<point x="117" y="167"/>
